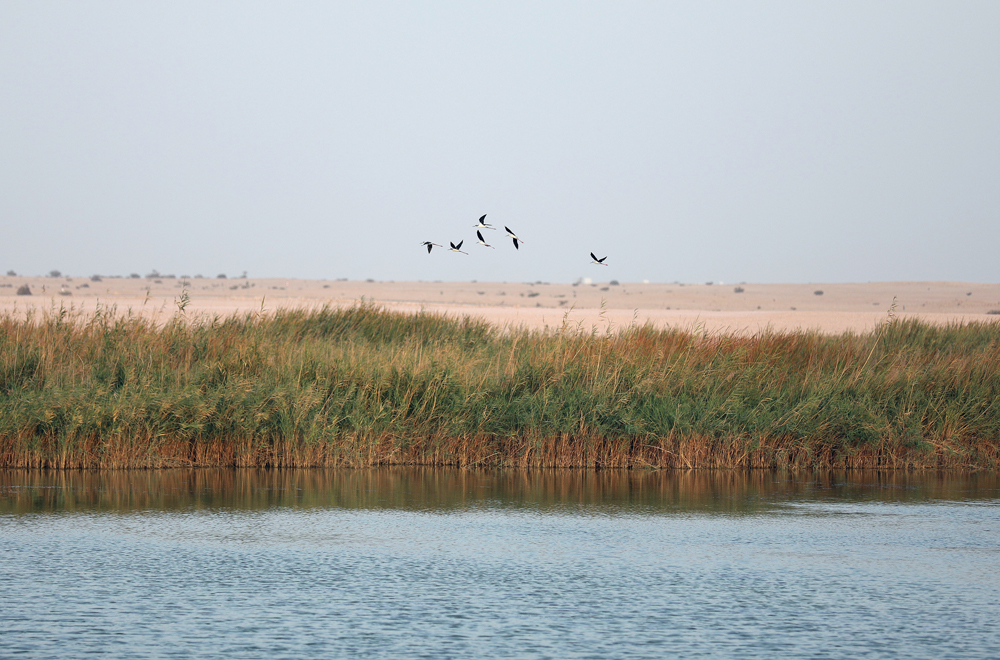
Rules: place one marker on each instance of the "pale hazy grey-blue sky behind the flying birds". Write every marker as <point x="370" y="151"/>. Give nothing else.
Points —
<point x="686" y="141"/>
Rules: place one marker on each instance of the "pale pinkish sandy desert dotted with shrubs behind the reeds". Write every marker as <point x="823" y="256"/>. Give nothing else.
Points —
<point x="715" y="307"/>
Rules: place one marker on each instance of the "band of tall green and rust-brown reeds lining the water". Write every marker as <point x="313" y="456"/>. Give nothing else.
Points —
<point x="363" y="386"/>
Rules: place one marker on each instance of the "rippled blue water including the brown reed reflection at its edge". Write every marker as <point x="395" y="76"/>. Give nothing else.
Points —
<point x="544" y="564"/>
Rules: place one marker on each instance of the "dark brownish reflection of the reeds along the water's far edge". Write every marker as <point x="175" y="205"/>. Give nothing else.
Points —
<point x="438" y="489"/>
